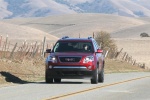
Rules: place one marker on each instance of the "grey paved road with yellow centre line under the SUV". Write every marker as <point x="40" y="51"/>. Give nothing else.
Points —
<point x="117" y="86"/>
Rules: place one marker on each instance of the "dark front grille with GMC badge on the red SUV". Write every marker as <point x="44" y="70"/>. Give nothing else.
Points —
<point x="69" y="59"/>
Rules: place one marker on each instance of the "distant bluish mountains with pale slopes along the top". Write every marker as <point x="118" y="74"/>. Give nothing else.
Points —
<point x="40" y="8"/>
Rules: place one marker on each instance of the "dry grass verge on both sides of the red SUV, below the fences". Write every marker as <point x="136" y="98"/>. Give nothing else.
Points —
<point x="33" y="70"/>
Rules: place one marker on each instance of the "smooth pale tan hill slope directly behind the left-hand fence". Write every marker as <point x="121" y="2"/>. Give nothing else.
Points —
<point x="17" y="33"/>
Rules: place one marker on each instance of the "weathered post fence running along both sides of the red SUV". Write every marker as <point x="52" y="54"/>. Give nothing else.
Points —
<point x="36" y="50"/>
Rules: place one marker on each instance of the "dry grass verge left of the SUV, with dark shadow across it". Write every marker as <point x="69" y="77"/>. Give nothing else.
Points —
<point x="21" y="72"/>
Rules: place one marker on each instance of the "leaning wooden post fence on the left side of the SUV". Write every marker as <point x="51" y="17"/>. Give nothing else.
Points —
<point x="23" y="50"/>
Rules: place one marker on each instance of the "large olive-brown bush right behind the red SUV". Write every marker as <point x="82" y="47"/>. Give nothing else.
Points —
<point x="106" y="43"/>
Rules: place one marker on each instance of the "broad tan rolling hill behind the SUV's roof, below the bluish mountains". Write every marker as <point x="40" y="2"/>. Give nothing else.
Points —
<point x="73" y="24"/>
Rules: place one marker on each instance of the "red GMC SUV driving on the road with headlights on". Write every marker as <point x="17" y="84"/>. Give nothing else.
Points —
<point x="75" y="58"/>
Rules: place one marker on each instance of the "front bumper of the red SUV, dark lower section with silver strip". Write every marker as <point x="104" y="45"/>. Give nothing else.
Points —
<point x="71" y="72"/>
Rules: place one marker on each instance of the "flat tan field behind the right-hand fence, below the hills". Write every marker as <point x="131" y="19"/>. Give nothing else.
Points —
<point x="138" y="48"/>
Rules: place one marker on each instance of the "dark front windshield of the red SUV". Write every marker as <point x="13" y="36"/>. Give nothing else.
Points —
<point x="73" y="47"/>
